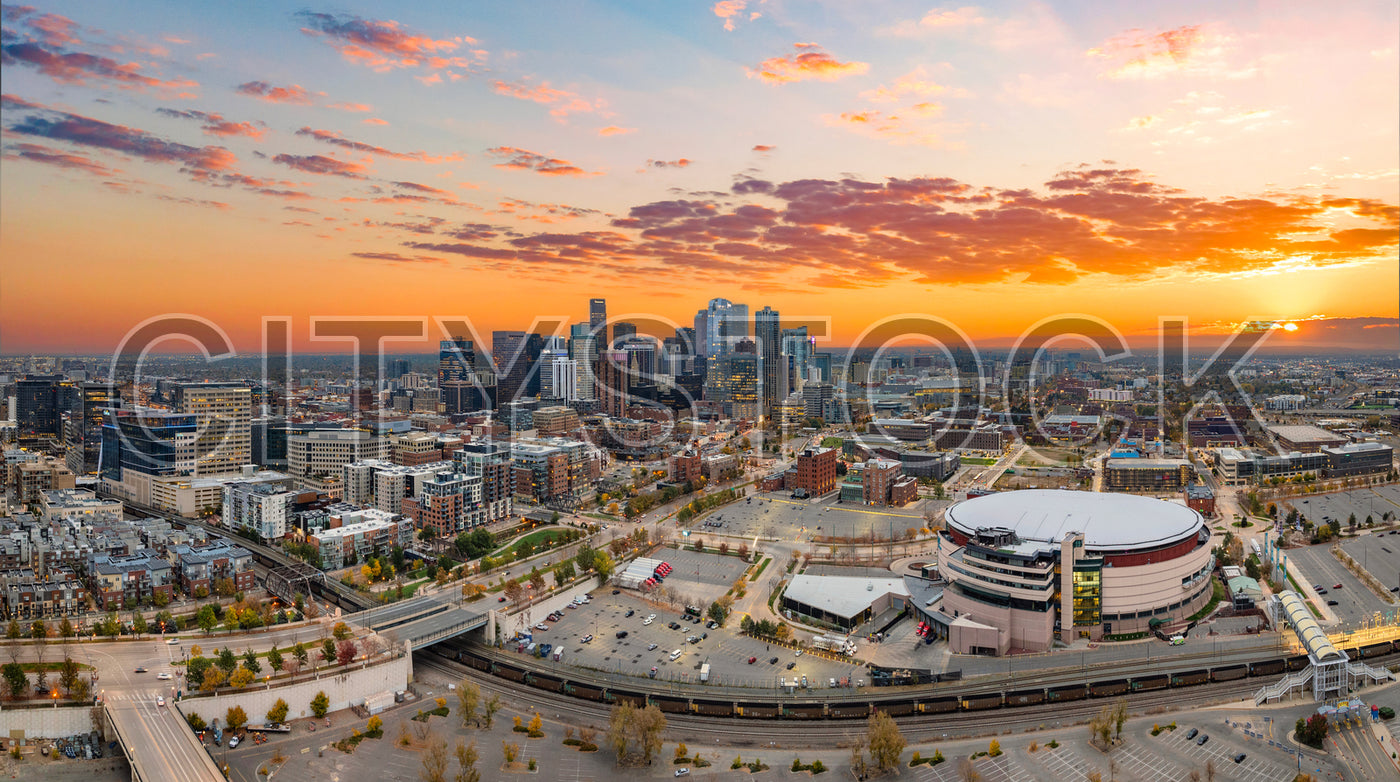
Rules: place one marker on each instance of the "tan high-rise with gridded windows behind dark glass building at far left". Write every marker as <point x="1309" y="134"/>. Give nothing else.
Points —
<point x="225" y="412"/>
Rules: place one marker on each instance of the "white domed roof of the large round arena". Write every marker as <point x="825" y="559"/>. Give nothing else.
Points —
<point x="1108" y="521"/>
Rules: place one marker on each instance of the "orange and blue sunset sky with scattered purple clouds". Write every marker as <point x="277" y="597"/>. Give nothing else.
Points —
<point x="992" y="166"/>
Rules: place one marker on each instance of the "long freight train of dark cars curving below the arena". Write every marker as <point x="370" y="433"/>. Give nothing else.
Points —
<point x="897" y="704"/>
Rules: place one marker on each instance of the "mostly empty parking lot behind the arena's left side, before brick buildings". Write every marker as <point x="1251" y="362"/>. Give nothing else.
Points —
<point x="778" y="516"/>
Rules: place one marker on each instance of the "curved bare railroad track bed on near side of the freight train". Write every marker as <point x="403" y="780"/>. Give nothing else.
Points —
<point x="740" y="732"/>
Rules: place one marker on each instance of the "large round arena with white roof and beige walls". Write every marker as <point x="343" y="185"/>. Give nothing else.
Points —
<point x="1025" y="569"/>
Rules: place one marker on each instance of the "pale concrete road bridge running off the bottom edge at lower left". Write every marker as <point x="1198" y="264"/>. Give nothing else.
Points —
<point x="160" y="745"/>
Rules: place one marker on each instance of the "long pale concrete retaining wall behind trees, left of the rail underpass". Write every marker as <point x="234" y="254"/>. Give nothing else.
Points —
<point x="345" y="690"/>
